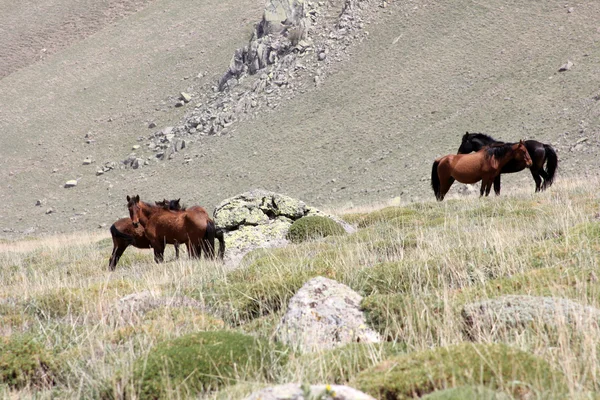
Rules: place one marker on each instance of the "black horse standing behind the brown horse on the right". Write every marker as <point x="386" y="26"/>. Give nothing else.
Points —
<point x="540" y="153"/>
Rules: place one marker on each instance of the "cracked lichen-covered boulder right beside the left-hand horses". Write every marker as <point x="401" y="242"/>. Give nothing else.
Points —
<point x="261" y="219"/>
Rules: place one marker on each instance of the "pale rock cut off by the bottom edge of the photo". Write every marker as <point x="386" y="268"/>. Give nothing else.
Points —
<point x="295" y="391"/>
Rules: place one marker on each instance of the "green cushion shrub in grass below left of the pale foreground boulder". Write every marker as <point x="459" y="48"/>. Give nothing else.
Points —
<point x="203" y="361"/>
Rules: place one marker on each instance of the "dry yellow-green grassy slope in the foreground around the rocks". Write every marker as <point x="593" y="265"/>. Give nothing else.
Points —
<point x="415" y="265"/>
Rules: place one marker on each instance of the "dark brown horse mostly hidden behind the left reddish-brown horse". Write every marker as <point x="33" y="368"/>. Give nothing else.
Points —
<point x="125" y="234"/>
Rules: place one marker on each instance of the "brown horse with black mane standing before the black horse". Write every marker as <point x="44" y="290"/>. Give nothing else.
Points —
<point x="484" y="165"/>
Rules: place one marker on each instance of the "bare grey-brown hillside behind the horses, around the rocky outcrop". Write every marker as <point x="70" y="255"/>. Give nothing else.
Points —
<point x="427" y="73"/>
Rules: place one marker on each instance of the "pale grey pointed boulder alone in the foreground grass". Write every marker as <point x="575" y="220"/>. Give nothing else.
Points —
<point x="324" y="314"/>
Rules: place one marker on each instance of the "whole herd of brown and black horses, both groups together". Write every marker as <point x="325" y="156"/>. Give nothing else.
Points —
<point x="479" y="158"/>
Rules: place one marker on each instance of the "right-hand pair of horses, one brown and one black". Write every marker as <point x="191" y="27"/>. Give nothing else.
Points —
<point x="490" y="159"/>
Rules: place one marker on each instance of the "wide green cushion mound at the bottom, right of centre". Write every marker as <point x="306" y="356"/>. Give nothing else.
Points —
<point x="496" y="366"/>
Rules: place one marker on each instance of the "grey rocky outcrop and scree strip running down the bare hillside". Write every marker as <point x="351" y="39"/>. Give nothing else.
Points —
<point x="280" y="61"/>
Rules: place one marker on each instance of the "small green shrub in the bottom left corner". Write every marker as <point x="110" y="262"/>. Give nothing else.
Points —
<point x="26" y="362"/>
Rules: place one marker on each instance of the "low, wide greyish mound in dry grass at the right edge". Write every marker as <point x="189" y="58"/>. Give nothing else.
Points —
<point x="510" y="314"/>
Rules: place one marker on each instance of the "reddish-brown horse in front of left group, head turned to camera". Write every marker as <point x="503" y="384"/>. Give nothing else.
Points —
<point x="192" y="226"/>
